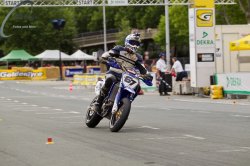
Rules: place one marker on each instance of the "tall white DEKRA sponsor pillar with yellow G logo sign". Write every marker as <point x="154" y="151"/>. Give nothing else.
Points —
<point x="202" y="45"/>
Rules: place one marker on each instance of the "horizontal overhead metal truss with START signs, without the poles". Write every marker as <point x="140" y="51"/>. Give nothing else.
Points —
<point x="86" y="3"/>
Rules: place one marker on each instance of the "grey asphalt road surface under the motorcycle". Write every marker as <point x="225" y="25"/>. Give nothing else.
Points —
<point x="168" y="131"/>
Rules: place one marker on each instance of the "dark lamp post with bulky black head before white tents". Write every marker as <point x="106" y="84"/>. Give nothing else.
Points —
<point x="59" y="24"/>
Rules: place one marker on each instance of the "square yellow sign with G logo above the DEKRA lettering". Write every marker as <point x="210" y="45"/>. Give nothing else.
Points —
<point x="204" y="18"/>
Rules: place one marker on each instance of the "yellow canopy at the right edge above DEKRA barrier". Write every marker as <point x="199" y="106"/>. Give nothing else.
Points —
<point x="241" y="44"/>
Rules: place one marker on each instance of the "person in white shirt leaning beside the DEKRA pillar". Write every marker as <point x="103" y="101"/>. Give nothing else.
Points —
<point x="178" y="69"/>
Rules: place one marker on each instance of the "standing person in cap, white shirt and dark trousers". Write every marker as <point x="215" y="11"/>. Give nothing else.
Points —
<point x="161" y="74"/>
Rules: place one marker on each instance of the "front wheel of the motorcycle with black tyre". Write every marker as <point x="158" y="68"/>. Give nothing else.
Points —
<point x="119" y="118"/>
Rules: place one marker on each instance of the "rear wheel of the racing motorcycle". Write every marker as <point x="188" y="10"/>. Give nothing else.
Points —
<point x="92" y="119"/>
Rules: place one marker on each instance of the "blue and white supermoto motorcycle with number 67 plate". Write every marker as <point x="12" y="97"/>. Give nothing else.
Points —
<point x="116" y="106"/>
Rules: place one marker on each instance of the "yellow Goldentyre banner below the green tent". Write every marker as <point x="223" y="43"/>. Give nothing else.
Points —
<point x="23" y="74"/>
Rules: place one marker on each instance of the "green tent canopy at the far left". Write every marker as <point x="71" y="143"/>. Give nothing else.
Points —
<point x="18" y="55"/>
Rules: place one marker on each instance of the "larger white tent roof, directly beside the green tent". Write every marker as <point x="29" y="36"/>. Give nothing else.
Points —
<point x="53" y="55"/>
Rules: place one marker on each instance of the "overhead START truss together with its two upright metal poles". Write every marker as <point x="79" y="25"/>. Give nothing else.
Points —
<point x="104" y="3"/>
